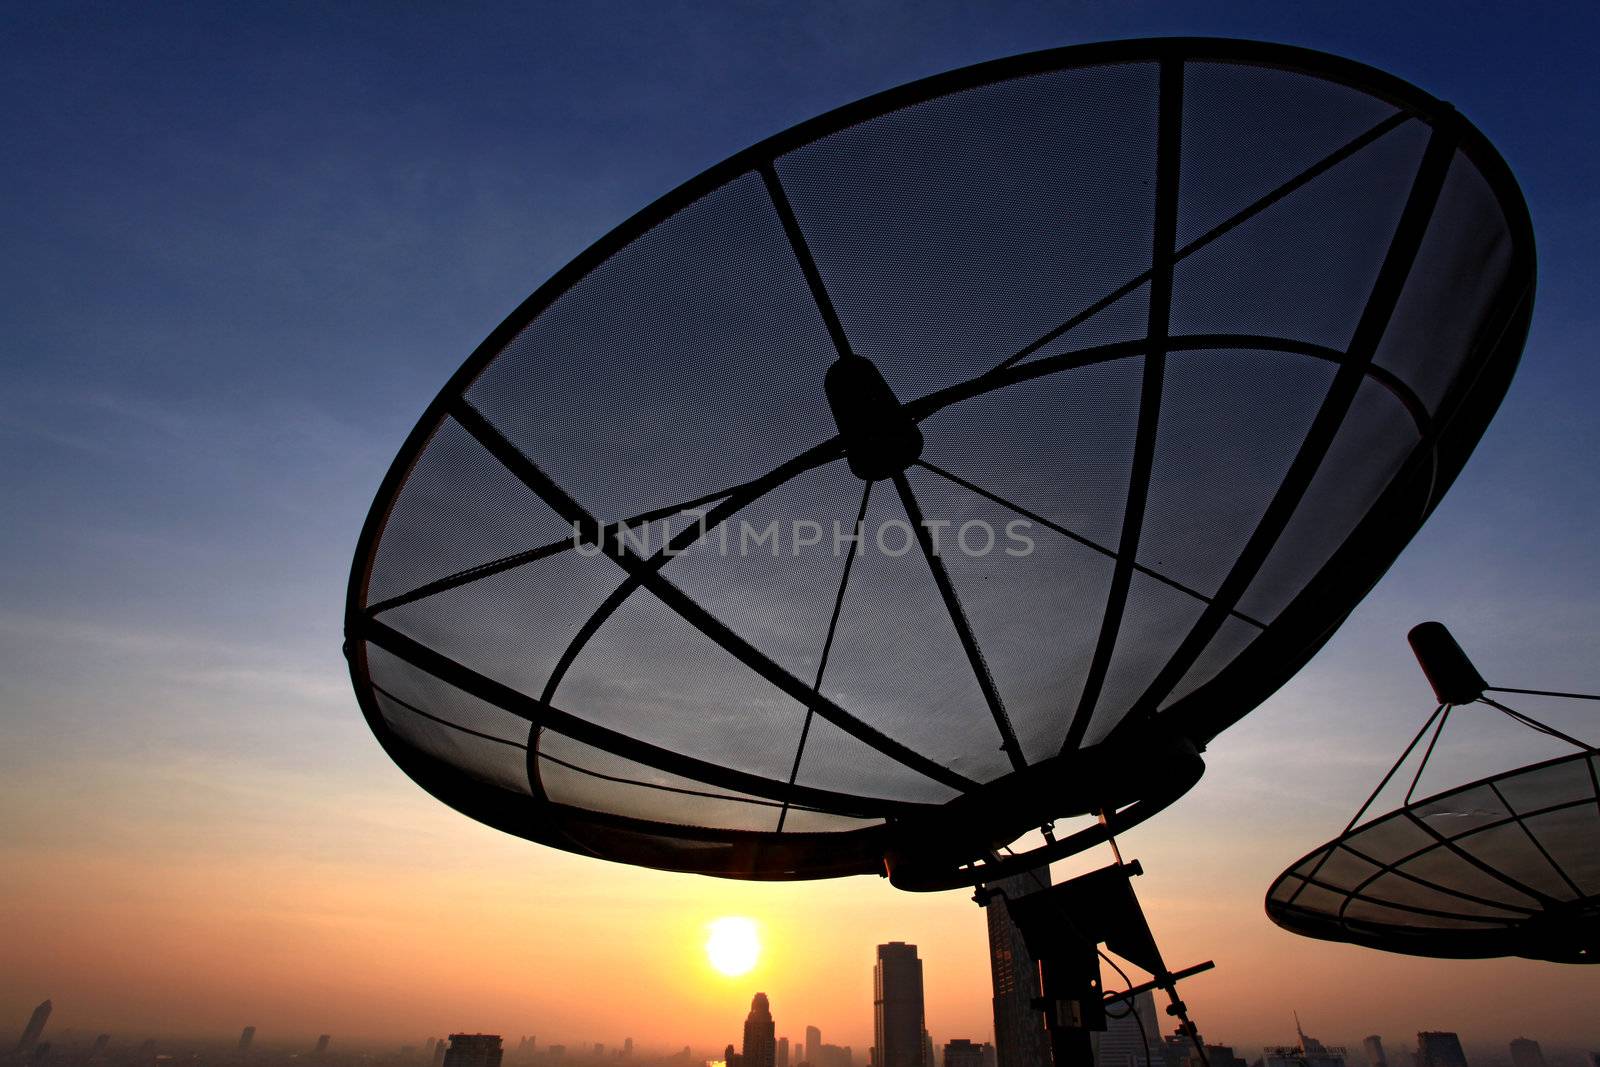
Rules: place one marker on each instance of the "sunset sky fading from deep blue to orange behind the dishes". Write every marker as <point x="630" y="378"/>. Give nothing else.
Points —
<point x="244" y="247"/>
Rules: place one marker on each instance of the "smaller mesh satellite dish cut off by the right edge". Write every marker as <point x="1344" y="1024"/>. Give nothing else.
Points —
<point x="1508" y="866"/>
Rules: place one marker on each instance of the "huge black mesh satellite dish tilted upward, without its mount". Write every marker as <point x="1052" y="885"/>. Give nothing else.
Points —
<point x="1210" y="326"/>
